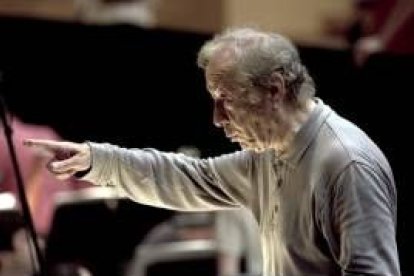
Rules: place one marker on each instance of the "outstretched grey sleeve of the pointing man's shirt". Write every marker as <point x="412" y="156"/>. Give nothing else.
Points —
<point x="171" y="180"/>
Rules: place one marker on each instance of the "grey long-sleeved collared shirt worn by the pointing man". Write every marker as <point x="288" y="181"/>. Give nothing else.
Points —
<point x="329" y="208"/>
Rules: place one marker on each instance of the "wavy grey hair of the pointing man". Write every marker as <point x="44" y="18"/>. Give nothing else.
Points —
<point x="257" y="55"/>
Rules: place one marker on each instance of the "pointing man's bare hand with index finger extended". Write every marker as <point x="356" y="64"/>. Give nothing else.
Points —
<point x="66" y="158"/>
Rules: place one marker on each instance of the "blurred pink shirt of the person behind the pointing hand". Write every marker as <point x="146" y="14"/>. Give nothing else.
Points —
<point x="40" y="185"/>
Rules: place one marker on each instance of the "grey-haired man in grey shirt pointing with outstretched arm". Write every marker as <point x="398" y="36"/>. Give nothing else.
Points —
<point x="322" y="192"/>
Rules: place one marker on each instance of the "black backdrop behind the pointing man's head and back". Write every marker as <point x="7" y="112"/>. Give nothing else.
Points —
<point x="142" y="88"/>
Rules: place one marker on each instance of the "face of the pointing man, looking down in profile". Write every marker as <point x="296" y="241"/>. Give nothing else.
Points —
<point x="241" y="110"/>
